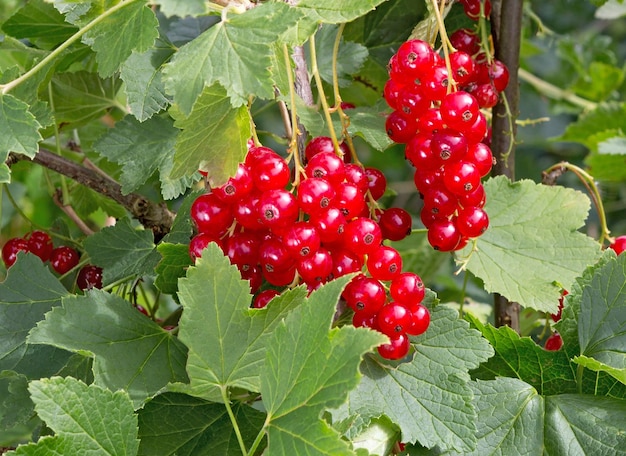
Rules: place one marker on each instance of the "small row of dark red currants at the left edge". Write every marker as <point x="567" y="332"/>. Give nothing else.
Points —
<point x="62" y="258"/>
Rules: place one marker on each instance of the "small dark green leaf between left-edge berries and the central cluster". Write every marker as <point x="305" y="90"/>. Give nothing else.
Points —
<point x="122" y="251"/>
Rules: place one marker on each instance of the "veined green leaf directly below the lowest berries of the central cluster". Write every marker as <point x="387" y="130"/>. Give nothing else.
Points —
<point x="429" y="397"/>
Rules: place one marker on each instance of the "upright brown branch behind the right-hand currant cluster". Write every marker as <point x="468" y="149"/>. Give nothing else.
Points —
<point x="506" y="32"/>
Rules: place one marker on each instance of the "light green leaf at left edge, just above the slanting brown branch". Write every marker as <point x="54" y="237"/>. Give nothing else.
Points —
<point x="19" y="129"/>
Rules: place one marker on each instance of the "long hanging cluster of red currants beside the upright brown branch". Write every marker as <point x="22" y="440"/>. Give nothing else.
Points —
<point x="438" y="117"/>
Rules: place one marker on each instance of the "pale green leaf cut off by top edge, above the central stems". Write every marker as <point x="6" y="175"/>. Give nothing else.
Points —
<point x="337" y="11"/>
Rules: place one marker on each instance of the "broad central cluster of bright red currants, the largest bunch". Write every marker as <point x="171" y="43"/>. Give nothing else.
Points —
<point x="323" y="226"/>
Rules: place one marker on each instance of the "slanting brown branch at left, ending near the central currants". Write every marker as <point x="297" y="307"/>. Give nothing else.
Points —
<point x="156" y="217"/>
